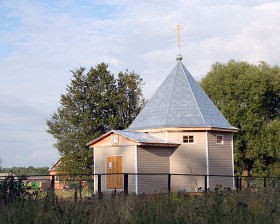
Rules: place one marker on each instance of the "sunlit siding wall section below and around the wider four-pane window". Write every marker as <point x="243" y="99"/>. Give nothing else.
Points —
<point x="188" y="159"/>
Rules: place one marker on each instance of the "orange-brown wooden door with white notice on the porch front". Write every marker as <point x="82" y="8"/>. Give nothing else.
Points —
<point x="114" y="165"/>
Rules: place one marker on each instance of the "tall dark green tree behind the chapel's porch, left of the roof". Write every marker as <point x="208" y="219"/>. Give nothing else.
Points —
<point x="94" y="103"/>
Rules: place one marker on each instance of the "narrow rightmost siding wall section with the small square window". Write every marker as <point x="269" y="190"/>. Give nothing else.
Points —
<point x="220" y="160"/>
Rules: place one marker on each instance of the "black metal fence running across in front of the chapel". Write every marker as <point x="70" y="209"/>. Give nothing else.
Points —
<point x="82" y="183"/>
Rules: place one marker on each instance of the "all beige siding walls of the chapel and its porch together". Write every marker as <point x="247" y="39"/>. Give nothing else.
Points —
<point x="186" y="159"/>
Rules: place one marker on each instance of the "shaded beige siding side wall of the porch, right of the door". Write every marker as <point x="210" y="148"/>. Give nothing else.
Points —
<point x="153" y="160"/>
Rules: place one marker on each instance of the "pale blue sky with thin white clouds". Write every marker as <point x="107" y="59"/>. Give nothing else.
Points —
<point x="42" y="41"/>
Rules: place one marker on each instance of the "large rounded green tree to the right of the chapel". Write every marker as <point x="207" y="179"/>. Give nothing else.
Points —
<point x="249" y="97"/>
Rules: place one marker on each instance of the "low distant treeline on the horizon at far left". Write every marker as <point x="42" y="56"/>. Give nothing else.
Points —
<point x="19" y="171"/>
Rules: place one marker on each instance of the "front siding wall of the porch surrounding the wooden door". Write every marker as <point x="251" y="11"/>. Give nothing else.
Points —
<point x="128" y="153"/>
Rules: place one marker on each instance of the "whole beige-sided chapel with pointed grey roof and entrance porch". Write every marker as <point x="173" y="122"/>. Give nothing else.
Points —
<point x="179" y="131"/>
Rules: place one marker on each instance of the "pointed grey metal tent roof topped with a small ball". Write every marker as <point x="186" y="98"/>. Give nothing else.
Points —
<point x="179" y="102"/>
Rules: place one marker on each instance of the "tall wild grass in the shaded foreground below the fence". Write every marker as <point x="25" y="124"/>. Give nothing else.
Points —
<point x="262" y="206"/>
